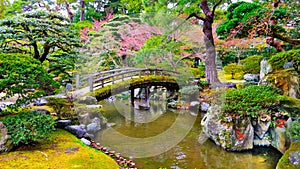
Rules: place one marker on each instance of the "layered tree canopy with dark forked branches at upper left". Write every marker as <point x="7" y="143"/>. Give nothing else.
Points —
<point x="38" y="34"/>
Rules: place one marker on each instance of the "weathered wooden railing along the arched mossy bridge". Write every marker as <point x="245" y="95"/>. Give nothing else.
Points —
<point x="100" y="79"/>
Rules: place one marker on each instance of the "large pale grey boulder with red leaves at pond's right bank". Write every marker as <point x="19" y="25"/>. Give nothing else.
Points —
<point x="231" y="137"/>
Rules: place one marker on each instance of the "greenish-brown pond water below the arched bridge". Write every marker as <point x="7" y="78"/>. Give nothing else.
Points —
<point x="134" y="128"/>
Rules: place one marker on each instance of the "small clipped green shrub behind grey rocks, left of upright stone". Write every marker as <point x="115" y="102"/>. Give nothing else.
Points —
<point x="251" y="64"/>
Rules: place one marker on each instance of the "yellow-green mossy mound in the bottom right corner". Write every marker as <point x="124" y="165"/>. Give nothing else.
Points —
<point x="284" y="162"/>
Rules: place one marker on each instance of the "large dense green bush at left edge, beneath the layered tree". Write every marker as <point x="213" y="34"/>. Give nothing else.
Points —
<point x="19" y="74"/>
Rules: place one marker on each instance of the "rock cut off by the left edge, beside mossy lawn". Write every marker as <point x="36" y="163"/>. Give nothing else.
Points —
<point x="5" y="144"/>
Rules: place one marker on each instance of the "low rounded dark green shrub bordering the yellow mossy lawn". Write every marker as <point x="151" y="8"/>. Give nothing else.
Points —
<point x="28" y="127"/>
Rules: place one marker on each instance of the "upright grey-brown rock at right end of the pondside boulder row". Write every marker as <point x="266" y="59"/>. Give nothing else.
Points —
<point x="279" y="139"/>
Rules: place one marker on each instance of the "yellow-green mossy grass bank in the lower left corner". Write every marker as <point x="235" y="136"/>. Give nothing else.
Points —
<point x="60" y="150"/>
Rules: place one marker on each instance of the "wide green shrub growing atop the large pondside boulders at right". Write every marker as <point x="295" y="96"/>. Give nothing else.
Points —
<point x="252" y="100"/>
